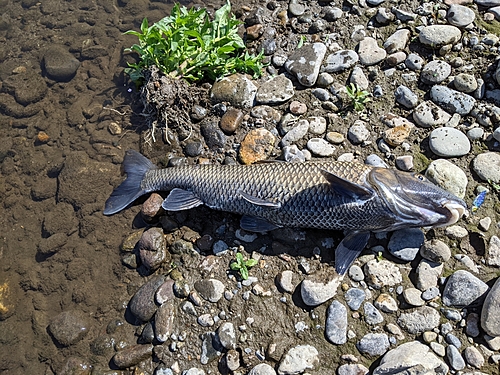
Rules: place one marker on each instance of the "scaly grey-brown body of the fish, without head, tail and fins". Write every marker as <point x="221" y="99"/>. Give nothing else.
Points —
<point x="306" y="197"/>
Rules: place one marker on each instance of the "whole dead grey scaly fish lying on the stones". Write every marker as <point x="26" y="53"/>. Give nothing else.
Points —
<point x="332" y="195"/>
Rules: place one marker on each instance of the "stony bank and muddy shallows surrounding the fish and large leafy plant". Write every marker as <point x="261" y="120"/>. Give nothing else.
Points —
<point x="165" y="301"/>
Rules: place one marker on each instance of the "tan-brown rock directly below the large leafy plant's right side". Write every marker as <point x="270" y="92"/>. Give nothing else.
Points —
<point x="236" y="89"/>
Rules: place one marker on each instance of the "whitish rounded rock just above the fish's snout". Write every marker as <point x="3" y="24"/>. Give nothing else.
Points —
<point x="448" y="176"/>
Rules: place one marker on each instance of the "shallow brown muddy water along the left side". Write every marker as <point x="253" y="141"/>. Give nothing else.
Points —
<point x="58" y="163"/>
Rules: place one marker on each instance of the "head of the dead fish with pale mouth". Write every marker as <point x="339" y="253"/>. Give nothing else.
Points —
<point x="414" y="200"/>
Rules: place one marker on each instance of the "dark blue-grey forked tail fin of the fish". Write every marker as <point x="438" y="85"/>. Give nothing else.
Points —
<point x="135" y="166"/>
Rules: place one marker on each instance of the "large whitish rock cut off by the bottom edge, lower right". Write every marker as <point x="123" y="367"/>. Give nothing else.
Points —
<point x="411" y="357"/>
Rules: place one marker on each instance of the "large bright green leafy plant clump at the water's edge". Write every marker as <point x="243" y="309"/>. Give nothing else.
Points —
<point x="187" y="44"/>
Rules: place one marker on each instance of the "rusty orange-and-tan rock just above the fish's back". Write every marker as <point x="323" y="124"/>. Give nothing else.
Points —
<point x="256" y="146"/>
